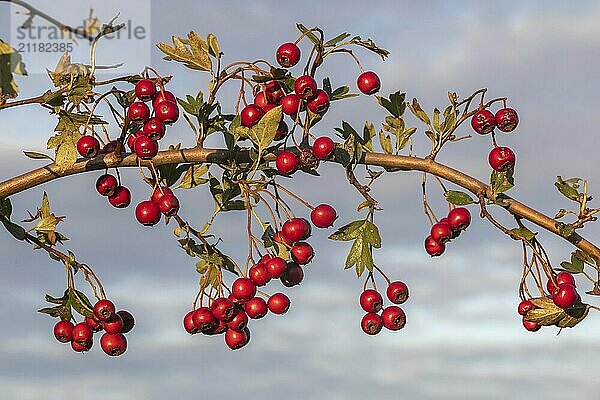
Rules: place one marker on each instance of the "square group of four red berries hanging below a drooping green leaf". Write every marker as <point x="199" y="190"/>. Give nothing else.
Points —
<point x="392" y="317"/>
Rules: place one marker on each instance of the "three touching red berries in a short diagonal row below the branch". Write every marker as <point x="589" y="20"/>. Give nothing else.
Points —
<point x="446" y="229"/>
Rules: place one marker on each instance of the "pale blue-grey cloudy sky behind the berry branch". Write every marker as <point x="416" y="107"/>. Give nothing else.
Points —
<point x="463" y="339"/>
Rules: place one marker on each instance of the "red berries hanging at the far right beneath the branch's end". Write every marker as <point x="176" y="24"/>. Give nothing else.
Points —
<point x="563" y="293"/>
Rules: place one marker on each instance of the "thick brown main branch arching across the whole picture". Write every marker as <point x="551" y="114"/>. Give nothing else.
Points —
<point x="51" y="172"/>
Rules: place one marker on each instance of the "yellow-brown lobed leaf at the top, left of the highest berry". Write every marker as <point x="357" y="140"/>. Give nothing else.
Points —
<point x="193" y="56"/>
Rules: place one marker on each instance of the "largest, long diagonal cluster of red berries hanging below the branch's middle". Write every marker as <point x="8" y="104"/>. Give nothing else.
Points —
<point x="230" y="315"/>
